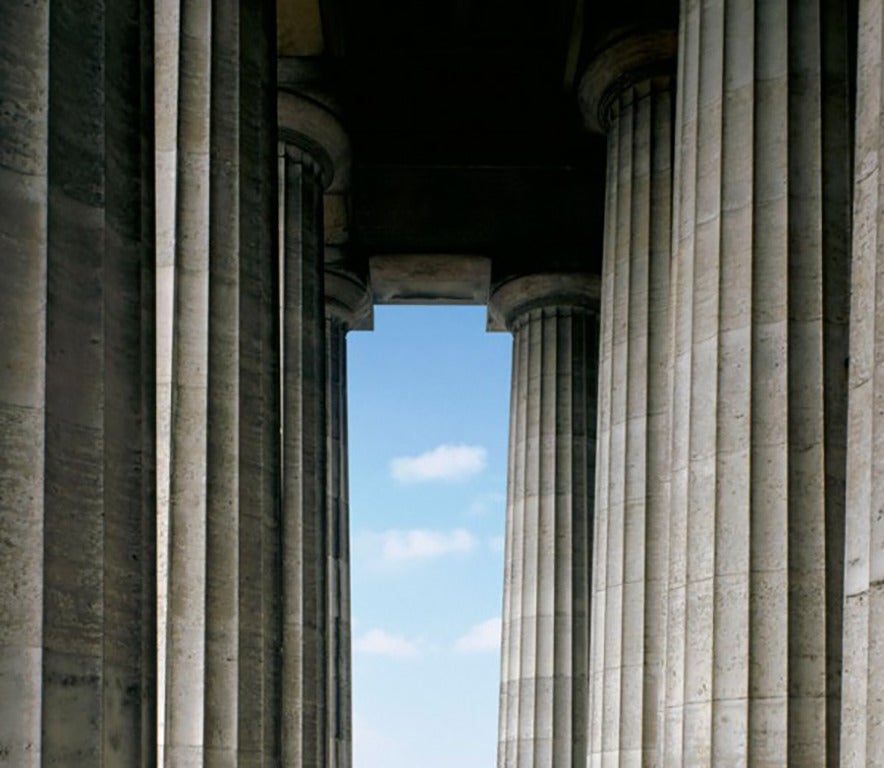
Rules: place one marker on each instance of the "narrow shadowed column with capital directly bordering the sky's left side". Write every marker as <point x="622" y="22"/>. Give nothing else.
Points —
<point x="347" y="306"/>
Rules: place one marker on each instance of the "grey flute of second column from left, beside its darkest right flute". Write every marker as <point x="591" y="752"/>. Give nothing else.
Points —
<point x="223" y="394"/>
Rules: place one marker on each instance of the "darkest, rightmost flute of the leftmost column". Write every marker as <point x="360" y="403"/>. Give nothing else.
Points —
<point x="129" y="614"/>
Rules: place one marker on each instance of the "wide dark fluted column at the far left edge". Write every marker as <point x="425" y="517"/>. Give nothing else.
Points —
<point x="77" y="485"/>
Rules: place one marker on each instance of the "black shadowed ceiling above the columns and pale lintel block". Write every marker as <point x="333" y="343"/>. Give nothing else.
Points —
<point x="464" y="124"/>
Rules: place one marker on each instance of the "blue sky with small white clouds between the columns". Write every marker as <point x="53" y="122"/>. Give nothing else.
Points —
<point x="429" y="414"/>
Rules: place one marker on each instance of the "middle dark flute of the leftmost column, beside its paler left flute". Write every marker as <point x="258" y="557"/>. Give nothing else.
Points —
<point x="73" y="551"/>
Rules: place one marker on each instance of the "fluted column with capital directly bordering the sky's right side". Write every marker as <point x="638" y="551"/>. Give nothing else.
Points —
<point x="544" y="666"/>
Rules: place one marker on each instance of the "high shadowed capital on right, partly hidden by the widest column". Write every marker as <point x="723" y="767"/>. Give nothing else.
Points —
<point x="625" y="62"/>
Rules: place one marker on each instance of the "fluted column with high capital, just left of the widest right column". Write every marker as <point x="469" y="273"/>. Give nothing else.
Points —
<point x="626" y="91"/>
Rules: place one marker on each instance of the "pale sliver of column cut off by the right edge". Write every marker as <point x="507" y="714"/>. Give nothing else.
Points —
<point x="863" y="699"/>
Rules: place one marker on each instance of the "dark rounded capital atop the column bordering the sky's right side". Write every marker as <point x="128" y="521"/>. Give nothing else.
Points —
<point x="519" y="295"/>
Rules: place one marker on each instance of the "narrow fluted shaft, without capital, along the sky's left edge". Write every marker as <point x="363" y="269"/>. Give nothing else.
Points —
<point x="338" y="521"/>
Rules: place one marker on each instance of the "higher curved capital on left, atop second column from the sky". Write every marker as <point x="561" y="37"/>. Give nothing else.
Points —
<point x="309" y="126"/>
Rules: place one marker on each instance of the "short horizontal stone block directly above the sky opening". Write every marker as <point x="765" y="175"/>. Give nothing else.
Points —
<point x="430" y="278"/>
